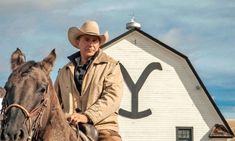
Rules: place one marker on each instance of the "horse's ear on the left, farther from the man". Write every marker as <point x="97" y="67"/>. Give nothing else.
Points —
<point x="17" y="58"/>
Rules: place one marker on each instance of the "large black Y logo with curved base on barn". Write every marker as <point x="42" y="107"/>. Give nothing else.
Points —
<point x="135" y="88"/>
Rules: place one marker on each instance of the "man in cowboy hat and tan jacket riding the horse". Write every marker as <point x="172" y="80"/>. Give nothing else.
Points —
<point x="91" y="83"/>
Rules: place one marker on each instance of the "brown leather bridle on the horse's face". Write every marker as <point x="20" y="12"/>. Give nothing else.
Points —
<point x="37" y="112"/>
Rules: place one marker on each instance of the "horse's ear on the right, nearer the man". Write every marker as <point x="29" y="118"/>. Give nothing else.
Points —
<point x="48" y="62"/>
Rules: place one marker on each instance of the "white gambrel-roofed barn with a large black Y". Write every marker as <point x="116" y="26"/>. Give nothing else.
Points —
<point x="164" y="98"/>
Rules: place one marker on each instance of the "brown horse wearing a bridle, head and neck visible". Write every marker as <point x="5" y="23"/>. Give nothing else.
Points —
<point x="31" y="108"/>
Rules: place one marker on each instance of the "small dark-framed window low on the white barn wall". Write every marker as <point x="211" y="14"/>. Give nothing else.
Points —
<point x="184" y="134"/>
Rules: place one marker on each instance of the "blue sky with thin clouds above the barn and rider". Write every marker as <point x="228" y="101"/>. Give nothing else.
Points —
<point x="202" y="30"/>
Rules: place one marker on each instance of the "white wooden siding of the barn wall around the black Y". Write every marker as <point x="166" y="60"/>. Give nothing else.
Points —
<point x="171" y="94"/>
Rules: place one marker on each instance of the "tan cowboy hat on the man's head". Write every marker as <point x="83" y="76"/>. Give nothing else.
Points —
<point x="89" y="28"/>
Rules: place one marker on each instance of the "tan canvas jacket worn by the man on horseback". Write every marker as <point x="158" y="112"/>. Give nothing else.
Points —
<point x="101" y="93"/>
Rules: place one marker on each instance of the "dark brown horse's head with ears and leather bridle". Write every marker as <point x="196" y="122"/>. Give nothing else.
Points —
<point x="25" y="104"/>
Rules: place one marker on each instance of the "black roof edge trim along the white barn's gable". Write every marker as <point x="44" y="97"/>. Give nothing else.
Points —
<point x="187" y="60"/>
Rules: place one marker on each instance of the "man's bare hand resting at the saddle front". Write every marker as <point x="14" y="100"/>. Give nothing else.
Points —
<point x="76" y="118"/>
